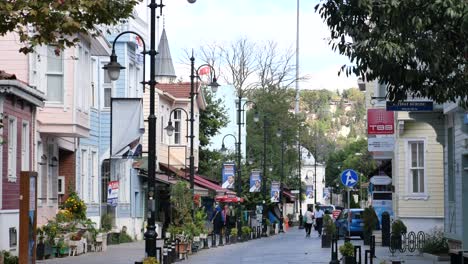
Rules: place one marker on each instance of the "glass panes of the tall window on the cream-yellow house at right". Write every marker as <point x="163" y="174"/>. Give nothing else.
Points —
<point x="416" y="168"/>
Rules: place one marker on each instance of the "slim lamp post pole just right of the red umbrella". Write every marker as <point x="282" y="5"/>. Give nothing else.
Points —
<point x="239" y="164"/>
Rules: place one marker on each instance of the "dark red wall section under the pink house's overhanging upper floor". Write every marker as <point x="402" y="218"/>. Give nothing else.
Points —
<point x="67" y="163"/>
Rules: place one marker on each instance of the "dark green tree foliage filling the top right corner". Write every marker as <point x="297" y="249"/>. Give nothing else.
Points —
<point x="418" y="47"/>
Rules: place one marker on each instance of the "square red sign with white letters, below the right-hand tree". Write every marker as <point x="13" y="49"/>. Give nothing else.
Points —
<point x="380" y="122"/>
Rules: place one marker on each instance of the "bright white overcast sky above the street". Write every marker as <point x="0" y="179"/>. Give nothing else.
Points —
<point x="223" y="21"/>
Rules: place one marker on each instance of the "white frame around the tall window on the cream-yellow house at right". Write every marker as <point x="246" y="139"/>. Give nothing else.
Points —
<point x="409" y="176"/>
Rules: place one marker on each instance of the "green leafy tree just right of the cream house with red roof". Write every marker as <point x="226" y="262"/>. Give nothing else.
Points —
<point x="212" y="119"/>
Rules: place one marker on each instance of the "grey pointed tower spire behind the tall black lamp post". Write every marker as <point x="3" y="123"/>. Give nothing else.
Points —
<point x="165" y="72"/>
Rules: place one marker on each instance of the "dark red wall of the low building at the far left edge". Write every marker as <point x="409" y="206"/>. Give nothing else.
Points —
<point x="22" y="110"/>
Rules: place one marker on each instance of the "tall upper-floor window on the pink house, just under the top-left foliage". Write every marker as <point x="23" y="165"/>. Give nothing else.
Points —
<point x="54" y="75"/>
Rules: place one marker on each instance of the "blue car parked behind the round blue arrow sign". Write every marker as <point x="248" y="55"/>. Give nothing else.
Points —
<point x="356" y="225"/>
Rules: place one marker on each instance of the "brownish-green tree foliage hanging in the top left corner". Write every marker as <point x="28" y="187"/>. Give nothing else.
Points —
<point x="55" y="22"/>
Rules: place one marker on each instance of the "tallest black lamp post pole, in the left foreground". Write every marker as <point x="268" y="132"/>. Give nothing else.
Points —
<point x="150" y="234"/>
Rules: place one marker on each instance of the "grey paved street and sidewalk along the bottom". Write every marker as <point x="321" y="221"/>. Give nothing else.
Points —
<point x="289" y="248"/>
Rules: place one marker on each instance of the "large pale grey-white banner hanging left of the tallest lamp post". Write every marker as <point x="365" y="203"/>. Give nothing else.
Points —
<point x="127" y="127"/>
